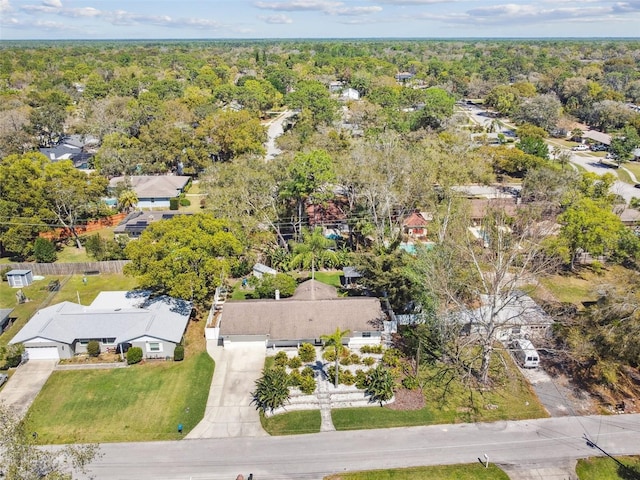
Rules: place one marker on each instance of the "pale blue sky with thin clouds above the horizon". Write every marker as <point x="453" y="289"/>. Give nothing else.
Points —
<point x="251" y="19"/>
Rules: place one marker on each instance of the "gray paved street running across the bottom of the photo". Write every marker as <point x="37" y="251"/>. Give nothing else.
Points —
<point x="547" y="441"/>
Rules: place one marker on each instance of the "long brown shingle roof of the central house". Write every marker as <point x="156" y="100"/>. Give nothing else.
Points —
<point x="300" y="317"/>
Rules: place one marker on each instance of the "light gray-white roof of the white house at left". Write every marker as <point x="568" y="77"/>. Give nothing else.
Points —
<point x="163" y="318"/>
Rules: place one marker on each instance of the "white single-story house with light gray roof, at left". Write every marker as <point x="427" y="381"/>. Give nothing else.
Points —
<point x="117" y="320"/>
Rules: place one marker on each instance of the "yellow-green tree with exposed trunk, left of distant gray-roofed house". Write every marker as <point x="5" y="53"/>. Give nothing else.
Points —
<point x="72" y="194"/>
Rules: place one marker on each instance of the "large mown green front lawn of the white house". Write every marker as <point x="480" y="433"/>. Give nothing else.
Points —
<point x="139" y="403"/>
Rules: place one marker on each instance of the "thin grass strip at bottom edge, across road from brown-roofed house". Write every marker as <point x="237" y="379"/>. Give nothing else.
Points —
<point x="445" y="472"/>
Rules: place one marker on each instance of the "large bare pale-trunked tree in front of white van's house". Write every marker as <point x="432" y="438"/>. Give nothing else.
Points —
<point x="478" y="283"/>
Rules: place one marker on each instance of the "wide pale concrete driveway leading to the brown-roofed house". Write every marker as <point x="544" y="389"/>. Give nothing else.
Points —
<point x="229" y="411"/>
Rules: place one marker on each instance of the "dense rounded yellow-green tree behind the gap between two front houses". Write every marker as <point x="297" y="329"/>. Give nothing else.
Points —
<point x="185" y="257"/>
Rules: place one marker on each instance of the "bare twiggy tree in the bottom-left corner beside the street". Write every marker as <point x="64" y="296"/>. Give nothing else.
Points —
<point x="22" y="459"/>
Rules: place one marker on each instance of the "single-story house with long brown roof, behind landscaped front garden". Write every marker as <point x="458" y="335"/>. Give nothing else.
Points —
<point x="314" y="310"/>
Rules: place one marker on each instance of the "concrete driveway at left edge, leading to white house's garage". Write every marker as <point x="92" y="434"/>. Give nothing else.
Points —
<point x="25" y="384"/>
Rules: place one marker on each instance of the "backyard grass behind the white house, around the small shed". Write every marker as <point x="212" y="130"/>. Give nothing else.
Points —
<point x="37" y="292"/>
